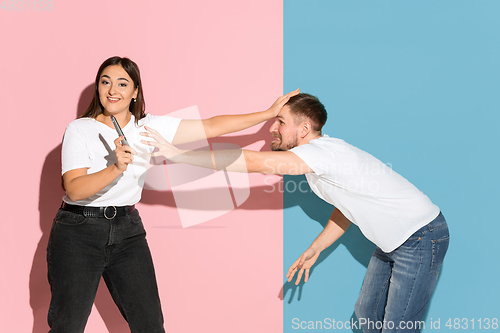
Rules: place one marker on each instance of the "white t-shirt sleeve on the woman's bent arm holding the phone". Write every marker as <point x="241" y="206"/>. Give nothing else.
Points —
<point x="75" y="153"/>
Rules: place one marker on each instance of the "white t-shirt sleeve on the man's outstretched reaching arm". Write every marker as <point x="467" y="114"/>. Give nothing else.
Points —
<point x="317" y="157"/>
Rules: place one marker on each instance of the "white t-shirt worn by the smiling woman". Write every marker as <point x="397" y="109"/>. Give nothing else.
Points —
<point x="89" y="143"/>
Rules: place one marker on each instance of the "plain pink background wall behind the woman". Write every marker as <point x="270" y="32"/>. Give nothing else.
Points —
<point x="226" y="57"/>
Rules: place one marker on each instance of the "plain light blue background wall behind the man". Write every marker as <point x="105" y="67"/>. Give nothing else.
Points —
<point x="416" y="84"/>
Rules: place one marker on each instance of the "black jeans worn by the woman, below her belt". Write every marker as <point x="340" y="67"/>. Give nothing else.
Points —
<point x="80" y="251"/>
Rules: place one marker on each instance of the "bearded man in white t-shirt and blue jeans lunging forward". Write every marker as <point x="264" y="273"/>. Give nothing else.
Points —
<point x="410" y="232"/>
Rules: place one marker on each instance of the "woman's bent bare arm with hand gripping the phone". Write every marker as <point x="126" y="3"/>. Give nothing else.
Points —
<point x="79" y="185"/>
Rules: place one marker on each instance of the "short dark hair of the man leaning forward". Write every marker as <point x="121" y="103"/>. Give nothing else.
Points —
<point x="308" y="106"/>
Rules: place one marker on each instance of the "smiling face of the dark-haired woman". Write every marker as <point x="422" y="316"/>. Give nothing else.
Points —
<point x="116" y="90"/>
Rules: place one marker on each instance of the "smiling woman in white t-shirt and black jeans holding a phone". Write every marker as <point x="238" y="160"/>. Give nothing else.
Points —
<point x="97" y="231"/>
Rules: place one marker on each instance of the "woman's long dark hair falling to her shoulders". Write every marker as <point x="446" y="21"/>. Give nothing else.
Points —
<point x="137" y="108"/>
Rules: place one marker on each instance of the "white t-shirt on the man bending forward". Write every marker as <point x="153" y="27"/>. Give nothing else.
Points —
<point x="386" y="207"/>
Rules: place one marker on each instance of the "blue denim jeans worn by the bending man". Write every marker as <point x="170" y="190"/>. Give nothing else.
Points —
<point x="398" y="285"/>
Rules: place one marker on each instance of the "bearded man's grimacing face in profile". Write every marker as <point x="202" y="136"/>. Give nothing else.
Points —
<point x="285" y="131"/>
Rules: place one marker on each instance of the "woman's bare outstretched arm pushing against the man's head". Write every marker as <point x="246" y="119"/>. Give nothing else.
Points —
<point x="194" y="130"/>
